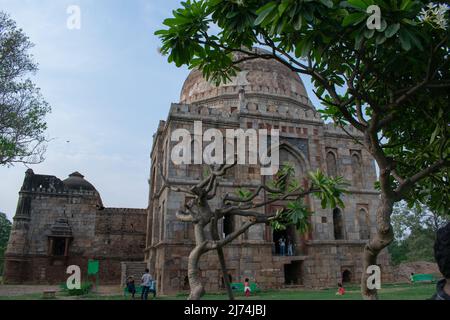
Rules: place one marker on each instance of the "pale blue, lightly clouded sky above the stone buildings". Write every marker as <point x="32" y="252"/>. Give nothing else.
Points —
<point x="108" y="88"/>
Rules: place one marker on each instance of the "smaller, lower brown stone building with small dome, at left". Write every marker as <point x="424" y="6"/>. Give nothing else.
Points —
<point x="61" y="223"/>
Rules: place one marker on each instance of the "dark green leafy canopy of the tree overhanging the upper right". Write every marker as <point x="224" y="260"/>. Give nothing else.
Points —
<point x="385" y="82"/>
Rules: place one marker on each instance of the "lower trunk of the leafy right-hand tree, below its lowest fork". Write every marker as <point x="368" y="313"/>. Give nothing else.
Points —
<point x="381" y="240"/>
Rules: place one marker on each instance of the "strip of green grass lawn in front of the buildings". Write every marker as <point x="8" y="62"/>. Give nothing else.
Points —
<point x="388" y="292"/>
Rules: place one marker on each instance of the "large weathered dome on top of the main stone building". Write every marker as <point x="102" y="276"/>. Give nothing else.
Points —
<point x="260" y="76"/>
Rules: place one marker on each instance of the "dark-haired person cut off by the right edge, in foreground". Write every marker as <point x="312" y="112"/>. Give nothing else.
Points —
<point x="442" y="256"/>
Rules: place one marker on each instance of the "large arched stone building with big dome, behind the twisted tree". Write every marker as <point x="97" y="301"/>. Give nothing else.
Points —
<point x="264" y="95"/>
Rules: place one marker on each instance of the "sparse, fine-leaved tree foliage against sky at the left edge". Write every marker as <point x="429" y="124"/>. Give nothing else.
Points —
<point x="22" y="107"/>
